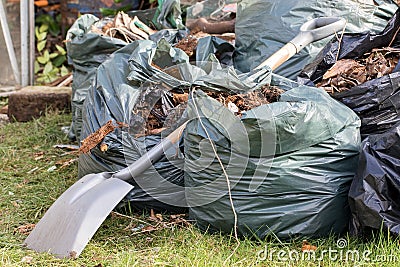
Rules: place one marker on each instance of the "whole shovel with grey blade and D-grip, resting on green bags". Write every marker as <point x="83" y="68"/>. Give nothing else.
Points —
<point x="75" y="216"/>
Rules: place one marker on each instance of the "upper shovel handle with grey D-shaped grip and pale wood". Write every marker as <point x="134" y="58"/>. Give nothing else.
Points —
<point x="311" y="31"/>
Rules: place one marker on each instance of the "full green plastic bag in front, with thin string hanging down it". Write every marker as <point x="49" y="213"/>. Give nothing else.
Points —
<point x="289" y="165"/>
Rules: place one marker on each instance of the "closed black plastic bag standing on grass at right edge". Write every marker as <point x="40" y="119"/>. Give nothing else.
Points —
<point x="374" y="195"/>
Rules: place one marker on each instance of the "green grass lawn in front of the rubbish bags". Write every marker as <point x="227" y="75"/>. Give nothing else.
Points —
<point x="28" y="189"/>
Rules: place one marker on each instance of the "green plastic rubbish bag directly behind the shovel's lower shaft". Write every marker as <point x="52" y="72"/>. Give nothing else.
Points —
<point x="114" y="94"/>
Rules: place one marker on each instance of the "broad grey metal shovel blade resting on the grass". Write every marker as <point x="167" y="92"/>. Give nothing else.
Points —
<point x="75" y="216"/>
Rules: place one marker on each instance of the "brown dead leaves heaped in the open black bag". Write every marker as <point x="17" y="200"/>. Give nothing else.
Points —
<point x="347" y="73"/>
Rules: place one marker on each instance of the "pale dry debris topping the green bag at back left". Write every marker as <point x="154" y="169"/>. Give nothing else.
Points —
<point x="125" y="28"/>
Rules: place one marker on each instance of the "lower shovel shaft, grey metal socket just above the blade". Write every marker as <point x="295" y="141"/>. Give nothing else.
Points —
<point x="152" y="156"/>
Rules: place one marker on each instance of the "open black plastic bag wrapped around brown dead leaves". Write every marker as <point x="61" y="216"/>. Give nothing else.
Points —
<point x="376" y="101"/>
